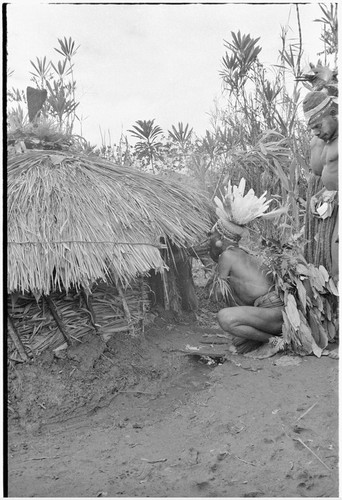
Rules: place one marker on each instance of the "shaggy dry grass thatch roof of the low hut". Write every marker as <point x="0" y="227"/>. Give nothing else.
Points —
<point x="71" y="216"/>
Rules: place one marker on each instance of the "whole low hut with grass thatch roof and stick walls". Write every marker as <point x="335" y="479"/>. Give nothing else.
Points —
<point x="91" y="245"/>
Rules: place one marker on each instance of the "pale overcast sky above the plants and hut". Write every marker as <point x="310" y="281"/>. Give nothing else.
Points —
<point x="144" y="62"/>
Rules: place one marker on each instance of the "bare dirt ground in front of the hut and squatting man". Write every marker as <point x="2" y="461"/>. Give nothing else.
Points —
<point x="139" y="417"/>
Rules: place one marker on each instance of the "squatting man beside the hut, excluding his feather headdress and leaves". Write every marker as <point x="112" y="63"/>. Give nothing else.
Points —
<point x="256" y="320"/>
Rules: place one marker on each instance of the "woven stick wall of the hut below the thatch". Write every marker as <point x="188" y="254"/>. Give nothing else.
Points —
<point x="38" y="330"/>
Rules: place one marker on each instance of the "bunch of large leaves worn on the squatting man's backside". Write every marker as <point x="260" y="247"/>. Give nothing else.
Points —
<point x="309" y="295"/>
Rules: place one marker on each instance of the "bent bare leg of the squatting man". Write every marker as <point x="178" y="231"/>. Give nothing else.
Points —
<point x="250" y="322"/>
